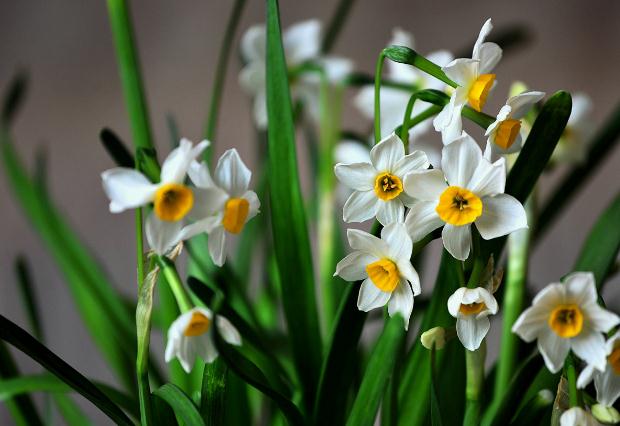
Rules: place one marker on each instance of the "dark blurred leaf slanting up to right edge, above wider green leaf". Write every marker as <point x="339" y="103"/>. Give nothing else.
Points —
<point x="601" y="146"/>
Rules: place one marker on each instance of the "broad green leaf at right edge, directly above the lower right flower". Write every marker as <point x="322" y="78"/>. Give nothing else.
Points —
<point x="600" y="250"/>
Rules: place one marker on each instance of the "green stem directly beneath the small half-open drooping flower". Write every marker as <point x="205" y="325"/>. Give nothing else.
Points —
<point x="474" y="363"/>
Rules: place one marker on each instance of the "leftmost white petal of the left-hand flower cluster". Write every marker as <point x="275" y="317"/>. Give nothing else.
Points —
<point x="127" y="189"/>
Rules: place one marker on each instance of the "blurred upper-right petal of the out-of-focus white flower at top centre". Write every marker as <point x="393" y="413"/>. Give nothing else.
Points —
<point x="302" y="41"/>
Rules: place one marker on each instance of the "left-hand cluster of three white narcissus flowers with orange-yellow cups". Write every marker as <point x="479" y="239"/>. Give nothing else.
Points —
<point x="217" y="205"/>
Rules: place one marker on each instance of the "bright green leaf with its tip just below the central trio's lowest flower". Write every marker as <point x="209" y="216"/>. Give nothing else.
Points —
<point x="378" y="372"/>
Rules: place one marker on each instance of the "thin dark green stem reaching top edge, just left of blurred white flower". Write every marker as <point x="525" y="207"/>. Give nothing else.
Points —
<point x="220" y="74"/>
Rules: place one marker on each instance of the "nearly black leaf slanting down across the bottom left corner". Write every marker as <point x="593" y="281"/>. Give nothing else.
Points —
<point x="16" y="336"/>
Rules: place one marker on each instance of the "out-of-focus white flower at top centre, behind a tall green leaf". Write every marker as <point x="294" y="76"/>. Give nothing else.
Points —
<point x="302" y="43"/>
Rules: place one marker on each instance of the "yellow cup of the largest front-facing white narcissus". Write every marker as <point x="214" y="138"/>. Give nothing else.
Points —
<point x="458" y="206"/>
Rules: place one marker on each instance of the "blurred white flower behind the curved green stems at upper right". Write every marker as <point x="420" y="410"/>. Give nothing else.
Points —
<point x="394" y="101"/>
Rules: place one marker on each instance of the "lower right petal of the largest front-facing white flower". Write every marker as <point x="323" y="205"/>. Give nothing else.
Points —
<point x="501" y="215"/>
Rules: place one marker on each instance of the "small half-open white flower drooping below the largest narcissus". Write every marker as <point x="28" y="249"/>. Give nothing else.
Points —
<point x="471" y="308"/>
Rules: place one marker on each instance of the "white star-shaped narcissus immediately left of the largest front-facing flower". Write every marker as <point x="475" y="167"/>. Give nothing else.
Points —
<point x="378" y="184"/>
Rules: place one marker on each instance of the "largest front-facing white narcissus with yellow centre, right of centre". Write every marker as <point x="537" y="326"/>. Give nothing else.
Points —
<point x="473" y="194"/>
